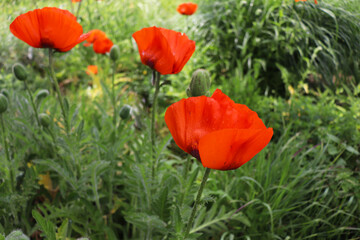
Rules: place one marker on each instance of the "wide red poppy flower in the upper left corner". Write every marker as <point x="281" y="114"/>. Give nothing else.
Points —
<point x="48" y="27"/>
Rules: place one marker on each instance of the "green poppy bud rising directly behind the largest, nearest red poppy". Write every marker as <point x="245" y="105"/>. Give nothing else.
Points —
<point x="200" y="83"/>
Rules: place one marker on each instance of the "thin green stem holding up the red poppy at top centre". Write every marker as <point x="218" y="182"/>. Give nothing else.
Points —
<point x="156" y="82"/>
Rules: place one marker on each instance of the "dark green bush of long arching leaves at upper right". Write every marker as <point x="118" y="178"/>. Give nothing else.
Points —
<point x="281" y="42"/>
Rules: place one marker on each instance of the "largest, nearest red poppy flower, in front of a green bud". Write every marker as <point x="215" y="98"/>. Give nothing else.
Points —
<point x="221" y="134"/>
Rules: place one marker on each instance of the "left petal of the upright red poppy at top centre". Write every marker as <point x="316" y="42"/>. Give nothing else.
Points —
<point x="154" y="50"/>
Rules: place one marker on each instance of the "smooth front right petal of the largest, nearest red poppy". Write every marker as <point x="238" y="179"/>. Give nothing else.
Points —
<point x="230" y="148"/>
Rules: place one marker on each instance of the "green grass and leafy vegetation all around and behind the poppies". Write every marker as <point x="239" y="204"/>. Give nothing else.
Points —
<point x="295" y="64"/>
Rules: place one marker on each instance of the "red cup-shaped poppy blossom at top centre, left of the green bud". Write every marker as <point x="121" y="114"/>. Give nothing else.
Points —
<point x="164" y="50"/>
